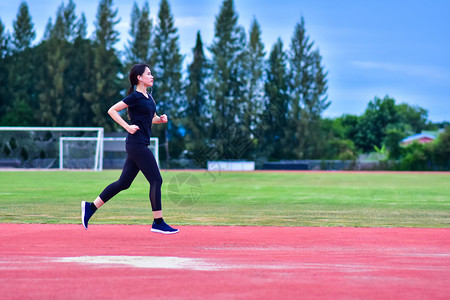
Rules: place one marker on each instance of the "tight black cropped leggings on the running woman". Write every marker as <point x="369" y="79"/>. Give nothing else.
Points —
<point x="139" y="158"/>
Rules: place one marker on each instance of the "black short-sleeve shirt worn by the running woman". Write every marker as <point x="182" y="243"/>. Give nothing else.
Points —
<point x="141" y="111"/>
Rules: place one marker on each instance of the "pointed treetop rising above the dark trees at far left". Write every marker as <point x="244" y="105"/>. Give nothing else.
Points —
<point x="23" y="34"/>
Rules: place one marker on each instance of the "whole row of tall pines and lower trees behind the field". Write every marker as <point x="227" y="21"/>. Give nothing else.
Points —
<point x="234" y="100"/>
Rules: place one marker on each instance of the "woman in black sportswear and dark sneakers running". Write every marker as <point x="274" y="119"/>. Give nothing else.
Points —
<point x="142" y="113"/>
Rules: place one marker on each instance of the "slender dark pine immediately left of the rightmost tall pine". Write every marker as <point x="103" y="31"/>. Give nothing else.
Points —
<point x="274" y="117"/>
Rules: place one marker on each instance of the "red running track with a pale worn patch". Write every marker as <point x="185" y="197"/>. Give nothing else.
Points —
<point x="130" y="262"/>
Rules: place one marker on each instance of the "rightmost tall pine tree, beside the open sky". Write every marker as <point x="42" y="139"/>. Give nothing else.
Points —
<point x="307" y="92"/>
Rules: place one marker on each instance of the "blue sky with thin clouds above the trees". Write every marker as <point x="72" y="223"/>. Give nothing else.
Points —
<point x="370" y="48"/>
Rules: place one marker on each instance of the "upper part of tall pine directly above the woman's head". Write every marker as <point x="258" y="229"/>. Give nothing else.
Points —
<point x="138" y="49"/>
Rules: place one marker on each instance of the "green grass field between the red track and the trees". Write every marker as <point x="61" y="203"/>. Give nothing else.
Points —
<point x="255" y="198"/>
